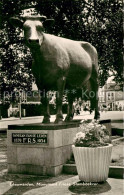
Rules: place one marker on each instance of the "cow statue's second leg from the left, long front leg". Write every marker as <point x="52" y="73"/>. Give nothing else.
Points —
<point x="59" y="99"/>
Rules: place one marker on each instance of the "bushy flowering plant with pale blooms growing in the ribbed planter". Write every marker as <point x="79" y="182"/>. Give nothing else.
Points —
<point x="92" y="134"/>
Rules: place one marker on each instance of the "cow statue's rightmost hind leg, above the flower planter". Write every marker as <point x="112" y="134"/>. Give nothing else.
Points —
<point x="94" y="99"/>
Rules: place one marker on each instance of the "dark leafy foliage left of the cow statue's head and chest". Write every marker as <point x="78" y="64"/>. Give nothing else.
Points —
<point x="15" y="57"/>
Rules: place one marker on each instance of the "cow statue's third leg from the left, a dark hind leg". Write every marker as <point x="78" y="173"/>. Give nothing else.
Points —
<point x="70" y="112"/>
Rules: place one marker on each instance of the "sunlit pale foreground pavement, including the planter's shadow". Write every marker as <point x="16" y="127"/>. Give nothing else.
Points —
<point x="71" y="186"/>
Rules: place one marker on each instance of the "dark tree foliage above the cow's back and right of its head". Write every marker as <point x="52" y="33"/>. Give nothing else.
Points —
<point x="98" y="22"/>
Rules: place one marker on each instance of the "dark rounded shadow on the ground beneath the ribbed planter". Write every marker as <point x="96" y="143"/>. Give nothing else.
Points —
<point x="89" y="188"/>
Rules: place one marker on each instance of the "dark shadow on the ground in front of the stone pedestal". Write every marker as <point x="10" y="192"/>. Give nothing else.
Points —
<point x="22" y="183"/>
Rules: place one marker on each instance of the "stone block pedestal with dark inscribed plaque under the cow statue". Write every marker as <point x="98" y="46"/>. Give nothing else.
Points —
<point x="40" y="149"/>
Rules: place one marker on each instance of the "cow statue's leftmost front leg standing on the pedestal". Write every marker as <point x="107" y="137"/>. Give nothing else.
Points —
<point x="45" y="103"/>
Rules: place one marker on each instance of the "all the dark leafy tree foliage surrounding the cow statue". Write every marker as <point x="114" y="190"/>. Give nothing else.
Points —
<point x="98" y="22"/>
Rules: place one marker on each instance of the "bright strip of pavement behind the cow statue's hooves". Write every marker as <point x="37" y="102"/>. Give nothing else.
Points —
<point x="113" y="115"/>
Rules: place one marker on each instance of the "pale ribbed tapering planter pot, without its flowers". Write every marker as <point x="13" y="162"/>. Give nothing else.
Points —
<point x="92" y="163"/>
